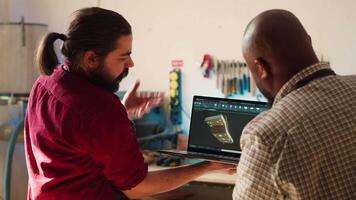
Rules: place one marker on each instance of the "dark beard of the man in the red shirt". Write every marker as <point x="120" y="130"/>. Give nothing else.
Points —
<point x="111" y="85"/>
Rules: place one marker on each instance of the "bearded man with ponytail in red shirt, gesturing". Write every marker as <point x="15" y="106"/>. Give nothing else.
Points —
<point x="78" y="137"/>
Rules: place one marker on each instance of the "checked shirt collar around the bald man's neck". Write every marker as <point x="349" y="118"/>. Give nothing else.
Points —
<point x="289" y="85"/>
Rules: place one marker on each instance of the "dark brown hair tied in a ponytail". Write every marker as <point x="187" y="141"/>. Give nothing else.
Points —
<point x="94" y="29"/>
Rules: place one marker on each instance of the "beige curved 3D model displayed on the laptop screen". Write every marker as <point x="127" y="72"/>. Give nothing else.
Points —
<point x="219" y="128"/>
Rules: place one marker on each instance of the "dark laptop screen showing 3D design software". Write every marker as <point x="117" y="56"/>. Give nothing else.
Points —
<point x="217" y="124"/>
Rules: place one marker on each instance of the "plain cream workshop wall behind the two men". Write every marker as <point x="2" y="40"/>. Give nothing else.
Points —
<point x="185" y="29"/>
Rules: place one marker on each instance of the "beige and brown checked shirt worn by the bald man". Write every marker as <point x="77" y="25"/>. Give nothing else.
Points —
<point x="304" y="147"/>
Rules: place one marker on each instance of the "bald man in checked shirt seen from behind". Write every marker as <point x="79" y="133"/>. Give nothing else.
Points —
<point x="304" y="147"/>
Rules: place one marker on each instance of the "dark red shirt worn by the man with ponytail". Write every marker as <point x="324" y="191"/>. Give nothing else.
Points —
<point x="79" y="142"/>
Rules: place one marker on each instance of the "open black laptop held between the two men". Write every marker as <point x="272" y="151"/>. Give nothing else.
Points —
<point x="215" y="128"/>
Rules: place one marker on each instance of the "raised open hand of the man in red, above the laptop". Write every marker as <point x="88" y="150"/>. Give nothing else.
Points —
<point x="139" y="104"/>
